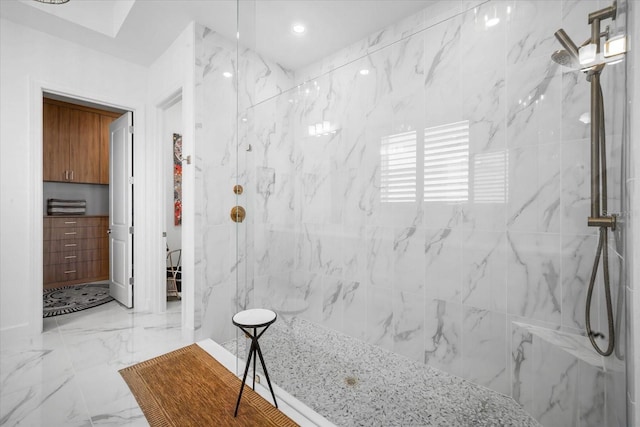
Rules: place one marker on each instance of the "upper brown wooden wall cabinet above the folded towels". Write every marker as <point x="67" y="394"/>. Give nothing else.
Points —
<point x="75" y="143"/>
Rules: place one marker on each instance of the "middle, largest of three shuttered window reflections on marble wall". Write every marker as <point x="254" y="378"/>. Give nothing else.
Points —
<point x="446" y="163"/>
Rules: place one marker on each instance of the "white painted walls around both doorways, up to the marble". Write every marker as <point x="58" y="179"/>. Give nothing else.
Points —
<point x="31" y="61"/>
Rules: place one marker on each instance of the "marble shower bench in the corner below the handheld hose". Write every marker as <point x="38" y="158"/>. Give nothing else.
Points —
<point x="560" y="380"/>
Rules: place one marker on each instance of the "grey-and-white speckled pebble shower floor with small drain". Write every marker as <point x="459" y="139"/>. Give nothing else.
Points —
<point x="352" y="383"/>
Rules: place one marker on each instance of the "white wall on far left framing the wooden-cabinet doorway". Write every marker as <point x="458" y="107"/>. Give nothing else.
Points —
<point x="29" y="62"/>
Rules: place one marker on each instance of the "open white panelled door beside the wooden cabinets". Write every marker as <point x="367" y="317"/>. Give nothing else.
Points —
<point x="121" y="209"/>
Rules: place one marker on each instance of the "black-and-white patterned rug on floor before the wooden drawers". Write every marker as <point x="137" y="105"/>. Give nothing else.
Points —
<point x="74" y="298"/>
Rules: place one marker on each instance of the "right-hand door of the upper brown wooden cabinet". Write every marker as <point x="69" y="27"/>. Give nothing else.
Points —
<point x="84" y="147"/>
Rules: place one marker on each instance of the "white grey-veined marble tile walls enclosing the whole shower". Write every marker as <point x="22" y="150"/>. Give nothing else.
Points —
<point x="437" y="281"/>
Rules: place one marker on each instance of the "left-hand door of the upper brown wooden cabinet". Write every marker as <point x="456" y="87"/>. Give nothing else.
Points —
<point x="55" y="142"/>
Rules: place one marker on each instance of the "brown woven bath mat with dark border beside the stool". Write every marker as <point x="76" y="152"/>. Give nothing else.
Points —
<point x="188" y="387"/>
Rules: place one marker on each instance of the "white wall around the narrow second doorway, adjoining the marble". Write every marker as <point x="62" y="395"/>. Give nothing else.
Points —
<point x="171" y="77"/>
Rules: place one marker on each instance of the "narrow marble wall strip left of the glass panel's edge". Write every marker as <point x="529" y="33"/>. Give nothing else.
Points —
<point x="215" y="158"/>
